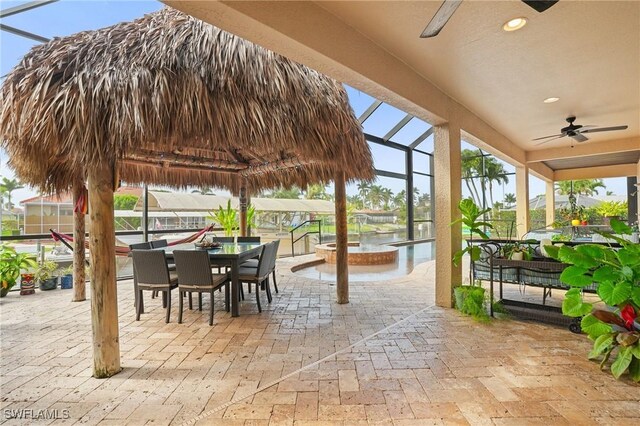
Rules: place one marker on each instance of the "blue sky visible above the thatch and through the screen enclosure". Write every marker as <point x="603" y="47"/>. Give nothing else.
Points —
<point x="70" y="16"/>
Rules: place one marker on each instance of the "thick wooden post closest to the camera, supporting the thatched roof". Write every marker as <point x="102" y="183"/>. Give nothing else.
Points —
<point x="104" y="300"/>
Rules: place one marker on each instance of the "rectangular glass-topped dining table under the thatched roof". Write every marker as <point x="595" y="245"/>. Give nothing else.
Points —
<point x="228" y="254"/>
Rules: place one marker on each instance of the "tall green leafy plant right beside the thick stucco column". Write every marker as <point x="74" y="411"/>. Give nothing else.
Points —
<point x="470" y="298"/>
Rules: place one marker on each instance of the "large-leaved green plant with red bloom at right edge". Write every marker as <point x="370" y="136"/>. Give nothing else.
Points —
<point x="616" y="272"/>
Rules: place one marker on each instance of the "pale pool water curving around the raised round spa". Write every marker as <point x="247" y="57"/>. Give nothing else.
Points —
<point x="408" y="257"/>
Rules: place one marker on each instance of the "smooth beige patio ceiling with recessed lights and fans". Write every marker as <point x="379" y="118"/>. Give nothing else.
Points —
<point x="586" y="53"/>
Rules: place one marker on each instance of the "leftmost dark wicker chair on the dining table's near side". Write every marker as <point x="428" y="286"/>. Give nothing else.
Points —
<point x="151" y="273"/>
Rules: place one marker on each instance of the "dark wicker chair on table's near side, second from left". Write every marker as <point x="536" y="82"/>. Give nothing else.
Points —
<point x="194" y="274"/>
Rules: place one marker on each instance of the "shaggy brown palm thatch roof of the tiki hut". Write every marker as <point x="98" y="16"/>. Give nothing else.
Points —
<point x="172" y="100"/>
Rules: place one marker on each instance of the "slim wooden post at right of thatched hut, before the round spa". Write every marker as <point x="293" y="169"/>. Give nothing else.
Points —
<point x="342" y="240"/>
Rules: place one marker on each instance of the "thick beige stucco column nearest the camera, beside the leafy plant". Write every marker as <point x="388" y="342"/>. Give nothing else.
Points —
<point x="448" y="192"/>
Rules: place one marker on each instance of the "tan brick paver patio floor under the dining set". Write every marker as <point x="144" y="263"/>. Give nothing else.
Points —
<point x="388" y="357"/>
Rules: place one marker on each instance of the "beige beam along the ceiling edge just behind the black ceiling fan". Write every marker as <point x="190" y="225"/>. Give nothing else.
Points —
<point x="584" y="149"/>
